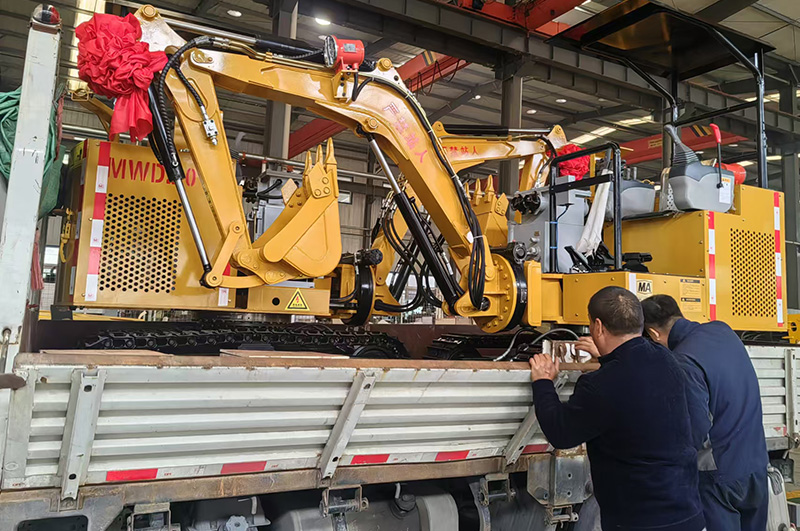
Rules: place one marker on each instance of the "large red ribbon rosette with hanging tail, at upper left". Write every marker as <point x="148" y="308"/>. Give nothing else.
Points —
<point x="116" y="64"/>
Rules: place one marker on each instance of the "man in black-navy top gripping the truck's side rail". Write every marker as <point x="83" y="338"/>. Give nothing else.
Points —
<point x="632" y="414"/>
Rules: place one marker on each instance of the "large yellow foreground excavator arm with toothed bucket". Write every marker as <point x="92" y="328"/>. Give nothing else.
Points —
<point x="375" y="105"/>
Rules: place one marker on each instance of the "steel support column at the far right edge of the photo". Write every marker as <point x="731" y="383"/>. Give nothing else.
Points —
<point x="790" y="177"/>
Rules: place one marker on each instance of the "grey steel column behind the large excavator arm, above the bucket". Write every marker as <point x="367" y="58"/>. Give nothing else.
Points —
<point x="279" y="115"/>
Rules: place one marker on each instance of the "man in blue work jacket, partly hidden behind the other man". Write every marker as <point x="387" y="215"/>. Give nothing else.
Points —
<point x="720" y="376"/>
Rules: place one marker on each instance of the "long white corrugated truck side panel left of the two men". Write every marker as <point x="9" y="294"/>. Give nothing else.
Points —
<point x="88" y="419"/>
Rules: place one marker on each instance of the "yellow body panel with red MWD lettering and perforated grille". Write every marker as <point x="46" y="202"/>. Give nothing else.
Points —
<point x="142" y="255"/>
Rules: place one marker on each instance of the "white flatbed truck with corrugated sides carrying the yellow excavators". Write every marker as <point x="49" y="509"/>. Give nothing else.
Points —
<point x="138" y="440"/>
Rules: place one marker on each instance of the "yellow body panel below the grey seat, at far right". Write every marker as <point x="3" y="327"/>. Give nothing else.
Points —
<point x="737" y="255"/>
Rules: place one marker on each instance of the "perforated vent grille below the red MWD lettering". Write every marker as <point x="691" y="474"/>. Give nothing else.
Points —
<point x="140" y="244"/>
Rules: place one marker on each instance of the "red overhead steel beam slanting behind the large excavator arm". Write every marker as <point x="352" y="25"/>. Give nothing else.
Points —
<point x="418" y="73"/>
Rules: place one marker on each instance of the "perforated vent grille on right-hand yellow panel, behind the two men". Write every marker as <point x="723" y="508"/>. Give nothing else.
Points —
<point x="753" y="272"/>
